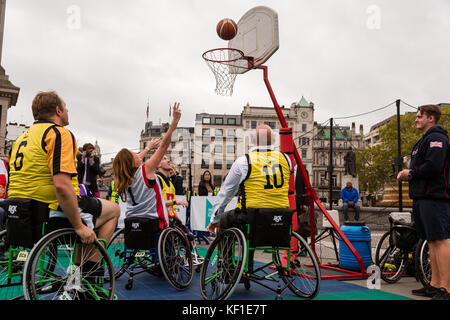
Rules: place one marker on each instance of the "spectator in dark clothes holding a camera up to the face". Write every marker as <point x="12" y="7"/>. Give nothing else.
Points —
<point x="88" y="168"/>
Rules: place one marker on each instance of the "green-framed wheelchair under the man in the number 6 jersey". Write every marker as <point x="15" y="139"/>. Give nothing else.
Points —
<point x="42" y="252"/>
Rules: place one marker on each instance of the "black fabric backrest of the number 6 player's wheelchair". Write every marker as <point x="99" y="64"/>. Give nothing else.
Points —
<point x="25" y="221"/>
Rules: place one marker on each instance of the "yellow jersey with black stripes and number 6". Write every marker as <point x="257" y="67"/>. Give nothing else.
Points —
<point x="41" y="152"/>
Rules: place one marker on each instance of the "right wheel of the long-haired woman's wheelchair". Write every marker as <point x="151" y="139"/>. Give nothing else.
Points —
<point x="174" y="253"/>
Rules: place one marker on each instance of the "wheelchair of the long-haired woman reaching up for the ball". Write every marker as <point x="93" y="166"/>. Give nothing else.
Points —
<point x="141" y="246"/>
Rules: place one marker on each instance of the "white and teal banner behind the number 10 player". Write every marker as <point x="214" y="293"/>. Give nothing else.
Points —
<point x="201" y="211"/>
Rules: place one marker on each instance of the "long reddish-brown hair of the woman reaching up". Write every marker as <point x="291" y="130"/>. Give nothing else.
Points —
<point x="124" y="169"/>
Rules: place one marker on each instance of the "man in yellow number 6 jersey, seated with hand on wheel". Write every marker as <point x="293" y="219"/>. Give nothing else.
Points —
<point x="43" y="174"/>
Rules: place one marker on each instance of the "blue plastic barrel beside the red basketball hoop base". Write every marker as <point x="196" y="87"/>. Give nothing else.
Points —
<point x="360" y="237"/>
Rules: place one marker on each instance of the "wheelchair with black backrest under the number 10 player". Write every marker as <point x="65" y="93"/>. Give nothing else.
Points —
<point x="229" y="259"/>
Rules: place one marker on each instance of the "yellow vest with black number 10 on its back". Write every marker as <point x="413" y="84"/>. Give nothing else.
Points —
<point x="267" y="181"/>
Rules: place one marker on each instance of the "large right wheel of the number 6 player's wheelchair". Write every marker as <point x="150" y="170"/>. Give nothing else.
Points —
<point x="57" y="269"/>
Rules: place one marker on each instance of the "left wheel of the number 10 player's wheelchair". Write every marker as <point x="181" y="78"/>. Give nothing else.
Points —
<point x="223" y="265"/>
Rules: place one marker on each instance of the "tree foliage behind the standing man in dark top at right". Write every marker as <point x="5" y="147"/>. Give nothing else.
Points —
<point x="374" y="164"/>
